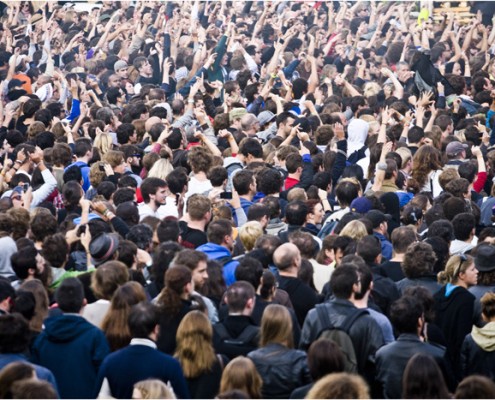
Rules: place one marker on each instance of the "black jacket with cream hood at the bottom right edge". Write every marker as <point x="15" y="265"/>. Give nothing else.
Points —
<point x="478" y="352"/>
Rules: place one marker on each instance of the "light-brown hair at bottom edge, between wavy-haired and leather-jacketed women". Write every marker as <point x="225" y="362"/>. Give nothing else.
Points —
<point x="241" y="374"/>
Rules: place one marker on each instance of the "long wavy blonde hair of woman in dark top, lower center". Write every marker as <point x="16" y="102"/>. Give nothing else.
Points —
<point x="194" y="344"/>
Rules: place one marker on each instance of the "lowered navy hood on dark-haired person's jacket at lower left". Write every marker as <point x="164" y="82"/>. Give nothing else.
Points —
<point x="65" y="328"/>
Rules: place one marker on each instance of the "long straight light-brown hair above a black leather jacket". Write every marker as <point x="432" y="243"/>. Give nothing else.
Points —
<point x="276" y="326"/>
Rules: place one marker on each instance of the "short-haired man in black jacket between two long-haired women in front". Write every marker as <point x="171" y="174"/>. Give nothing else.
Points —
<point x="237" y="334"/>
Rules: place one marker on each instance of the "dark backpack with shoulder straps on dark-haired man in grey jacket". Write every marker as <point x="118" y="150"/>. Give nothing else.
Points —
<point x="340" y="334"/>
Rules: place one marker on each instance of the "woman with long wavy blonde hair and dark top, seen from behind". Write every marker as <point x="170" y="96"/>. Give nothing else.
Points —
<point x="201" y="366"/>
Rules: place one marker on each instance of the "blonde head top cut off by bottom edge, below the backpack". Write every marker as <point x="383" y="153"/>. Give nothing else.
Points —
<point x="341" y="385"/>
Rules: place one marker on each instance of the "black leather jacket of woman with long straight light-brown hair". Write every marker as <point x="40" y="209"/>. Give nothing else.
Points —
<point x="282" y="370"/>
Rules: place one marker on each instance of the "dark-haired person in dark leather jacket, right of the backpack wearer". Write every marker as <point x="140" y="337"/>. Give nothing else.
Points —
<point x="407" y="318"/>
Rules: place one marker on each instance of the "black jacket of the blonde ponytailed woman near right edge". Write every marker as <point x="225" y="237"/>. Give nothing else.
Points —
<point x="454" y="316"/>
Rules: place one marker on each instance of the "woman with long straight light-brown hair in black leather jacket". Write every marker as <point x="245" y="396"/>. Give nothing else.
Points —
<point x="276" y="348"/>
